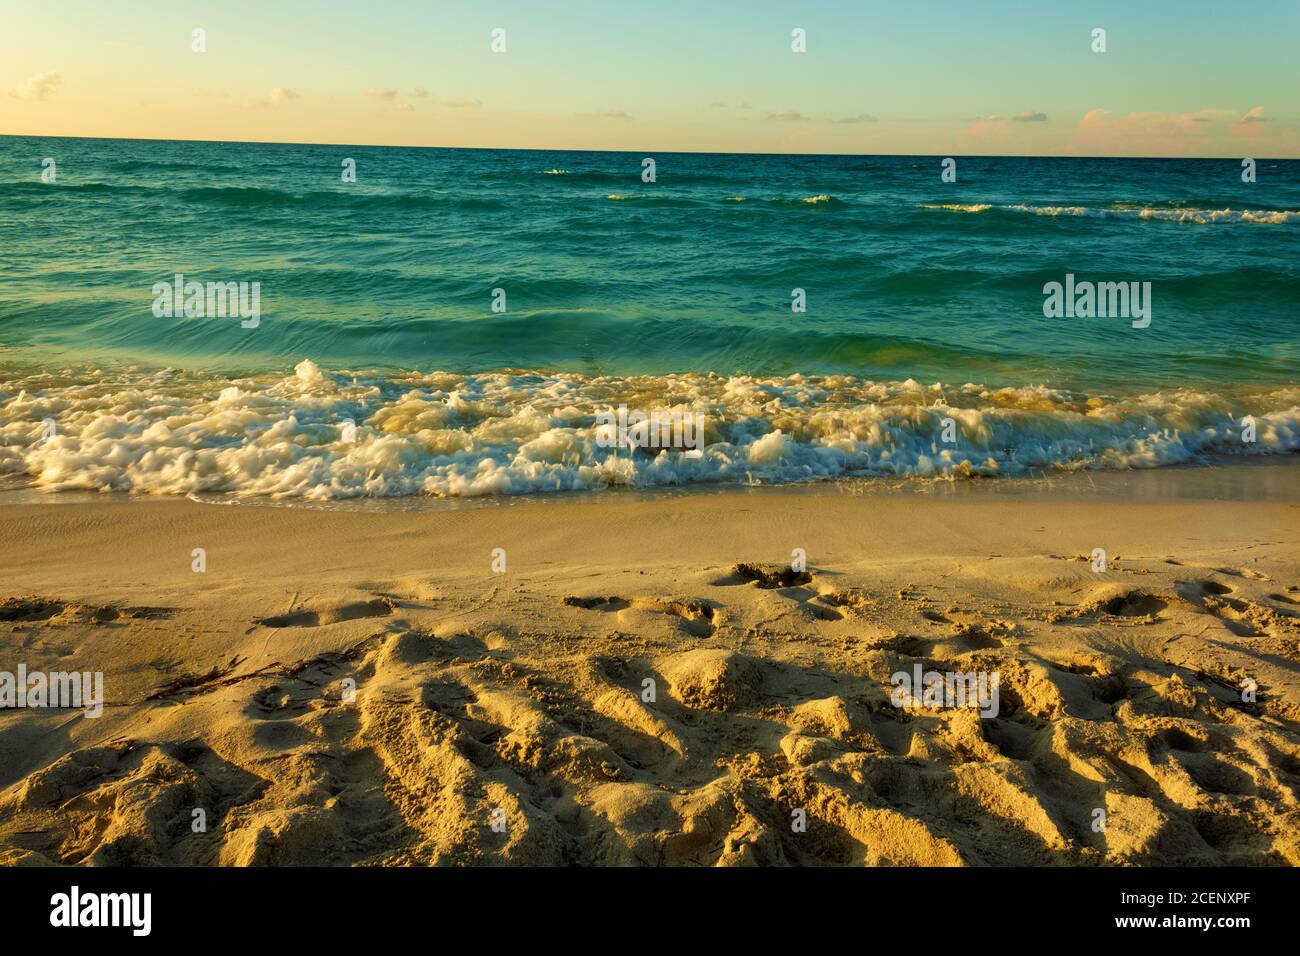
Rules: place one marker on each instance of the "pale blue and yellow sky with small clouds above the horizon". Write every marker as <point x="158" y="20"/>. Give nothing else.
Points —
<point x="933" y="77"/>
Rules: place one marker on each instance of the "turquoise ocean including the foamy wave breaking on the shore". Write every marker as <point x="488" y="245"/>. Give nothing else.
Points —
<point x="457" y="322"/>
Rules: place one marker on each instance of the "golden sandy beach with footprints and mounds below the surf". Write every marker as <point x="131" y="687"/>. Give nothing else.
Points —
<point x="649" y="682"/>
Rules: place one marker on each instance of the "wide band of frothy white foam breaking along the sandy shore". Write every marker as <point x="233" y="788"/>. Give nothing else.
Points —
<point x="514" y="434"/>
